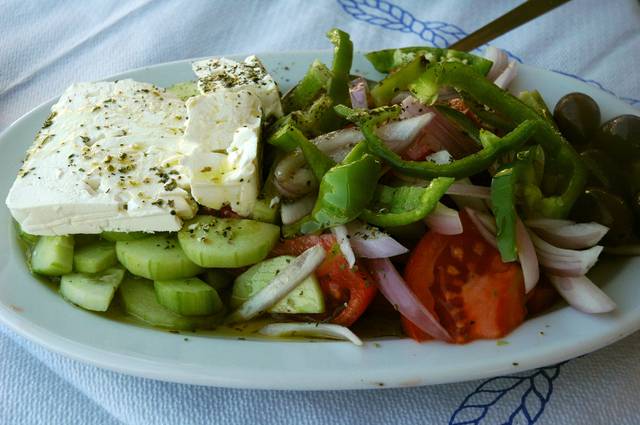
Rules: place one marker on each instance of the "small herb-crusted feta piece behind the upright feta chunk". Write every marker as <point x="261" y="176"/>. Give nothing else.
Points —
<point x="228" y="75"/>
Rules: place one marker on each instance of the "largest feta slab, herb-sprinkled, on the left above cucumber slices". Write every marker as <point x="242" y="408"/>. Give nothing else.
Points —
<point x="106" y="159"/>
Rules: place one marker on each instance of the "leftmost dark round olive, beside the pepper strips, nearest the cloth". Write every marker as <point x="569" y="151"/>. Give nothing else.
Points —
<point x="578" y="117"/>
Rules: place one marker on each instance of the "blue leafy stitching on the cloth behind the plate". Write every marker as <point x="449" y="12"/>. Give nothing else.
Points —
<point x="387" y="15"/>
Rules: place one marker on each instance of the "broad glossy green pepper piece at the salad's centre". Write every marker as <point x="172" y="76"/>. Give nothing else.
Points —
<point x="345" y="191"/>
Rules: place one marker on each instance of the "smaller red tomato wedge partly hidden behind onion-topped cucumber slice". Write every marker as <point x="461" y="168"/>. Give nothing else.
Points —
<point x="348" y="291"/>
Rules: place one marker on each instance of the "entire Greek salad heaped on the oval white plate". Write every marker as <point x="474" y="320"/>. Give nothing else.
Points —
<point x="434" y="196"/>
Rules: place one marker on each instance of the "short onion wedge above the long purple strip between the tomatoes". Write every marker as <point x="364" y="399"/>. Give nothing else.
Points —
<point x="369" y="242"/>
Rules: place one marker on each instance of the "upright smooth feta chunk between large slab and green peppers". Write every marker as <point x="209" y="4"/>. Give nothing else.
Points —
<point x="221" y="148"/>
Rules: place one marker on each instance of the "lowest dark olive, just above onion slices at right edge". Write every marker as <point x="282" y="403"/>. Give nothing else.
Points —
<point x="610" y="210"/>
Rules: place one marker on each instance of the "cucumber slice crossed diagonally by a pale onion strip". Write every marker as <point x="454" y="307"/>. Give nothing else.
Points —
<point x="304" y="298"/>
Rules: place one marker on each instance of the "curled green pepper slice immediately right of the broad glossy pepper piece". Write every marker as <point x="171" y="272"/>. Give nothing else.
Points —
<point x="399" y="206"/>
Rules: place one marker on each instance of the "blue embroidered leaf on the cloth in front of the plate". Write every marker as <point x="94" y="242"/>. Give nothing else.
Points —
<point x="528" y="393"/>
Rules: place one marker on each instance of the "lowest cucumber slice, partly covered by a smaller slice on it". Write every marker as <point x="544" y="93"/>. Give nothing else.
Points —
<point x="139" y="300"/>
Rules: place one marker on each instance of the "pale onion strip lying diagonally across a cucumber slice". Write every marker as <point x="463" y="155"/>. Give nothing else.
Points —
<point x="288" y="278"/>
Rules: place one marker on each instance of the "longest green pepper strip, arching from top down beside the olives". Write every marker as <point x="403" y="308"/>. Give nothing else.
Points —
<point x="562" y="159"/>
